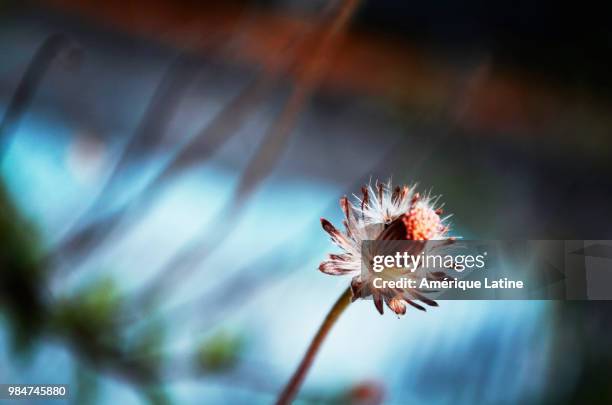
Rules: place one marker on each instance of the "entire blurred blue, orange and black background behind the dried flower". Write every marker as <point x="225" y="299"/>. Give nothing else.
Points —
<point x="165" y="165"/>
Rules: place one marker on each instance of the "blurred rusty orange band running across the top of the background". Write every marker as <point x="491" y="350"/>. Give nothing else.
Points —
<point x="366" y="64"/>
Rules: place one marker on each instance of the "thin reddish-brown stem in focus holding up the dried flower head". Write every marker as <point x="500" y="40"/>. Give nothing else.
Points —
<point x="297" y="379"/>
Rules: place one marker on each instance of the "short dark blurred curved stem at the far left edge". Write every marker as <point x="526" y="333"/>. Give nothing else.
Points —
<point x="49" y="51"/>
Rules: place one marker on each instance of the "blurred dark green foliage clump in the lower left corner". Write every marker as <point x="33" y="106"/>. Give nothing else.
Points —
<point x="89" y="320"/>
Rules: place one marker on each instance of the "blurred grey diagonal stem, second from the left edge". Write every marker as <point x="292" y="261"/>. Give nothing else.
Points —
<point x="148" y="136"/>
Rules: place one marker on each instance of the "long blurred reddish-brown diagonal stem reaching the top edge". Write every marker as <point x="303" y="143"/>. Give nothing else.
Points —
<point x="261" y="165"/>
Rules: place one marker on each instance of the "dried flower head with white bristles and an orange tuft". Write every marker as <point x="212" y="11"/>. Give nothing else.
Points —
<point x="384" y="213"/>
